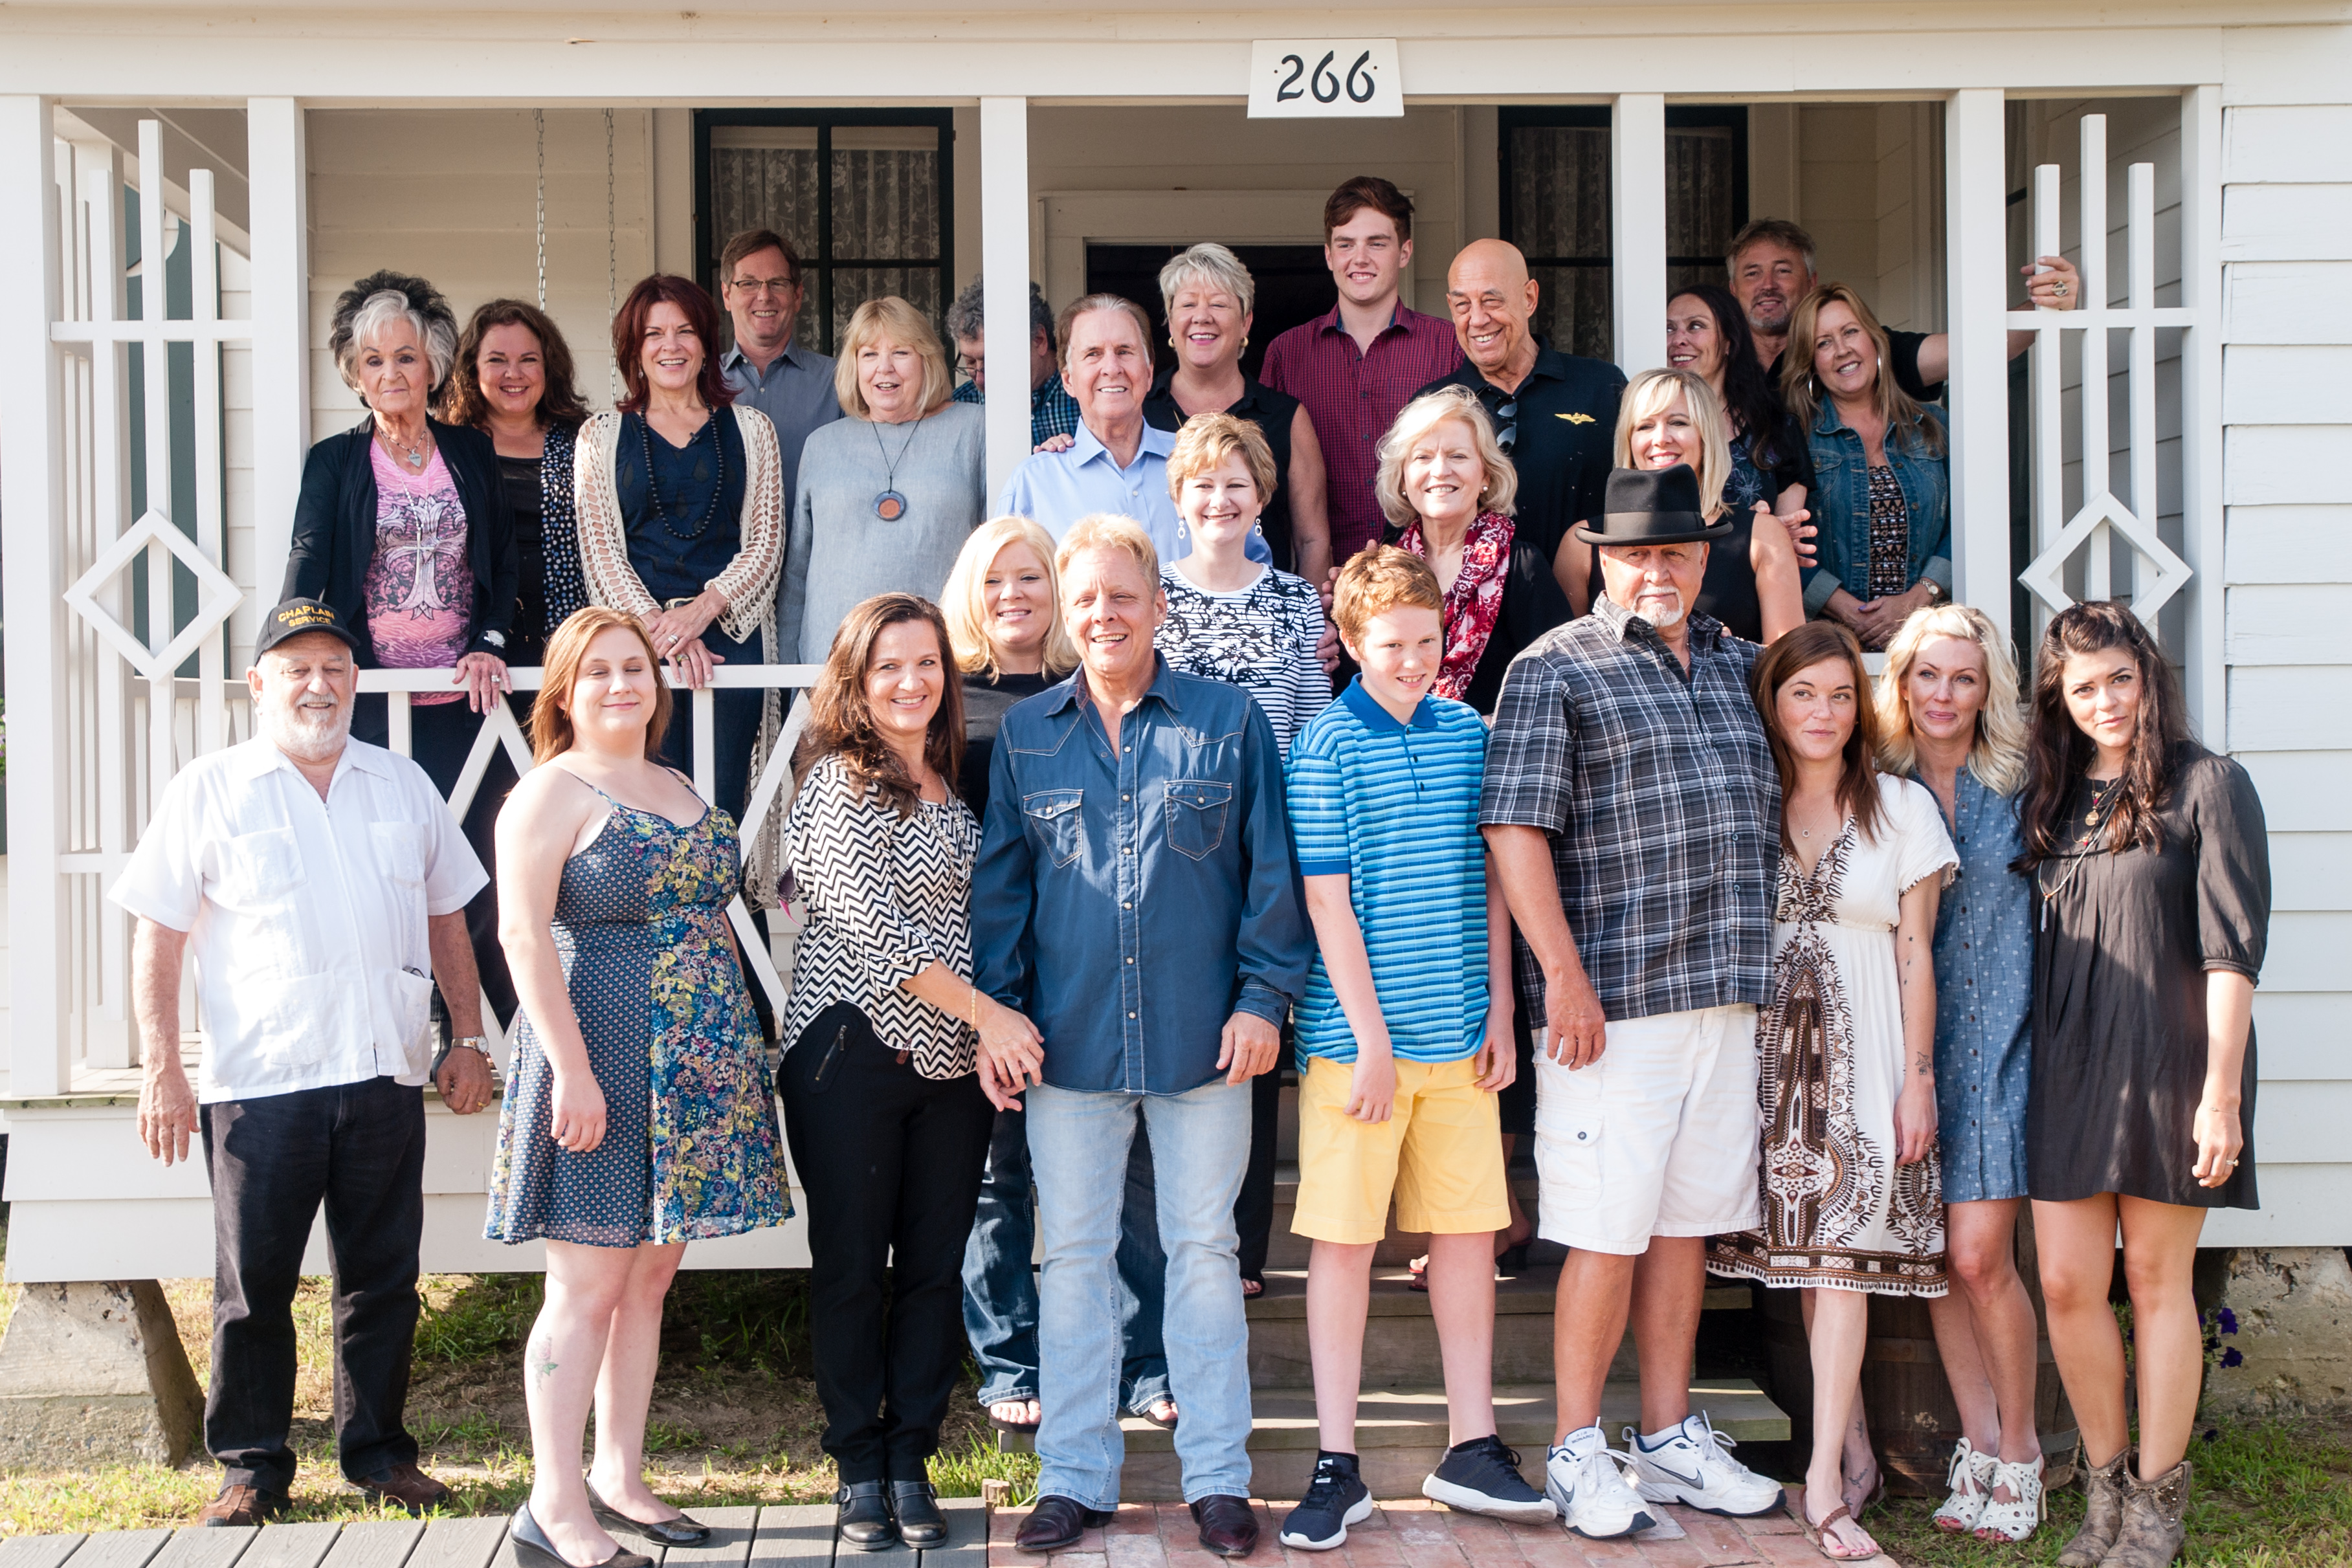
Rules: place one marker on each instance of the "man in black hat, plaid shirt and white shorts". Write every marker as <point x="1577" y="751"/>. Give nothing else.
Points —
<point x="1633" y="812"/>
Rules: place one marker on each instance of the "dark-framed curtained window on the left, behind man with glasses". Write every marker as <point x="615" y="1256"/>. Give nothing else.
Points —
<point x="864" y="196"/>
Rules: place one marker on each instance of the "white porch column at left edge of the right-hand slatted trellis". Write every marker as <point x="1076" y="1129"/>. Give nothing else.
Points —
<point x="1977" y="269"/>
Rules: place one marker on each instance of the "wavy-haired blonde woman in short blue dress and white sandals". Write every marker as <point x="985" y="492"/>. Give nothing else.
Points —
<point x="1949" y="718"/>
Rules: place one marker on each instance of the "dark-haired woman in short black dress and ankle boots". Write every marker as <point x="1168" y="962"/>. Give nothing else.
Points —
<point x="2151" y="916"/>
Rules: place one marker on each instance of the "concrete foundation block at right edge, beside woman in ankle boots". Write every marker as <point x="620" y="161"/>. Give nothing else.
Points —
<point x="2294" y="1332"/>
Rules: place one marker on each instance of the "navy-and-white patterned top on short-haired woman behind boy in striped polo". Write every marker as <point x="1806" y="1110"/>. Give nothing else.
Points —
<point x="1259" y="638"/>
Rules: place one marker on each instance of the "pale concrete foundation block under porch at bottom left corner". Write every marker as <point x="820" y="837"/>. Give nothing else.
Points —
<point x="93" y="1374"/>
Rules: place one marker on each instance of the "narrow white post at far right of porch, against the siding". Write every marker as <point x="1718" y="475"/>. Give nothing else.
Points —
<point x="2205" y="669"/>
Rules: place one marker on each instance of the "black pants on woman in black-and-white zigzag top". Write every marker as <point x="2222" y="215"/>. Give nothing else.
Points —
<point x="893" y="1170"/>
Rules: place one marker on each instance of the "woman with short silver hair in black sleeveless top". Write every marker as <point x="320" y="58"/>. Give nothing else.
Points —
<point x="1210" y="300"/>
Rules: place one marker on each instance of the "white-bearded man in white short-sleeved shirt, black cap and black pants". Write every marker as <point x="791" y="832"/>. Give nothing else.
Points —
<point x="321" y="885"/>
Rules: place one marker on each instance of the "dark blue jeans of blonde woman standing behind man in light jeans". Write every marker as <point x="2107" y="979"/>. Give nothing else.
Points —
<point x="1001" y="1287"/>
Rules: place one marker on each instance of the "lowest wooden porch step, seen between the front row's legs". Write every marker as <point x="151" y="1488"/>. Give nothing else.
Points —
<point x="1401" y="1435"/>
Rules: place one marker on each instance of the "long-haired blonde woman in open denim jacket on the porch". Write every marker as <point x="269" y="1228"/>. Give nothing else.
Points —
<point x="1883" y="488"/>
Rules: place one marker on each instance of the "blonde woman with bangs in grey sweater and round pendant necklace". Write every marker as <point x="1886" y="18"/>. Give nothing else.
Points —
<point x="888" y="495"/>
